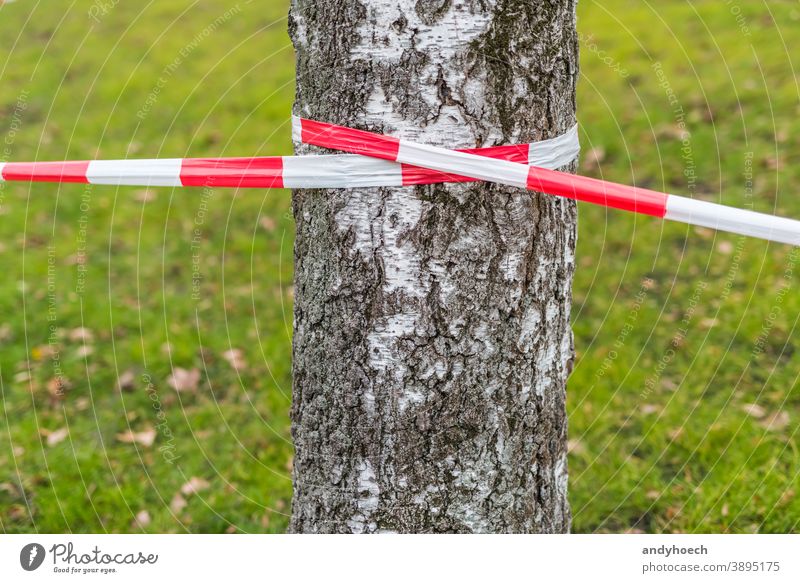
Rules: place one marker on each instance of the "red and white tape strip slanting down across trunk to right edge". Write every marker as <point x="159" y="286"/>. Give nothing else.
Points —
<point x="630" y="198"/>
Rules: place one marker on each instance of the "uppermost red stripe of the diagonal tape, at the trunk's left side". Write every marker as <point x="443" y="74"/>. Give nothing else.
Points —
<point x="334" y="137"/>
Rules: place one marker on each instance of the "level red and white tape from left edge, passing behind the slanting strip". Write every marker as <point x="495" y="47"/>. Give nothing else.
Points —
<point x="340" y="171"/>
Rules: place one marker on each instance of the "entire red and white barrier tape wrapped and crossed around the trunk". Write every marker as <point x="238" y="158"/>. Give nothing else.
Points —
<point x="378" y="160"/>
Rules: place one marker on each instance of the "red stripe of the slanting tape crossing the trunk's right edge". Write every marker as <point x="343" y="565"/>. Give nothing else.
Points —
<point x="619" y="196"/>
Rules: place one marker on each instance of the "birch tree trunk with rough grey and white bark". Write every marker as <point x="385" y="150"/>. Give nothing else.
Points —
<point x="432" y="341"/>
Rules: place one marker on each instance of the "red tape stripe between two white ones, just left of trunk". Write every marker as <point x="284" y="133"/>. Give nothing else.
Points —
<point x="264" y="172"/>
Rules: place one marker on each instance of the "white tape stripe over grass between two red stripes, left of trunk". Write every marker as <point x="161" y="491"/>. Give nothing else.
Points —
<point x="160" y="172"/>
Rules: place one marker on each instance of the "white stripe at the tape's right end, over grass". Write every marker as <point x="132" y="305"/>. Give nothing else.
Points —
<point x="734" y="220"/>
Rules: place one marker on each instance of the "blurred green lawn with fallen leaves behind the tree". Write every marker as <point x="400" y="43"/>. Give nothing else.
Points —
<point x="145" y="334"/>
